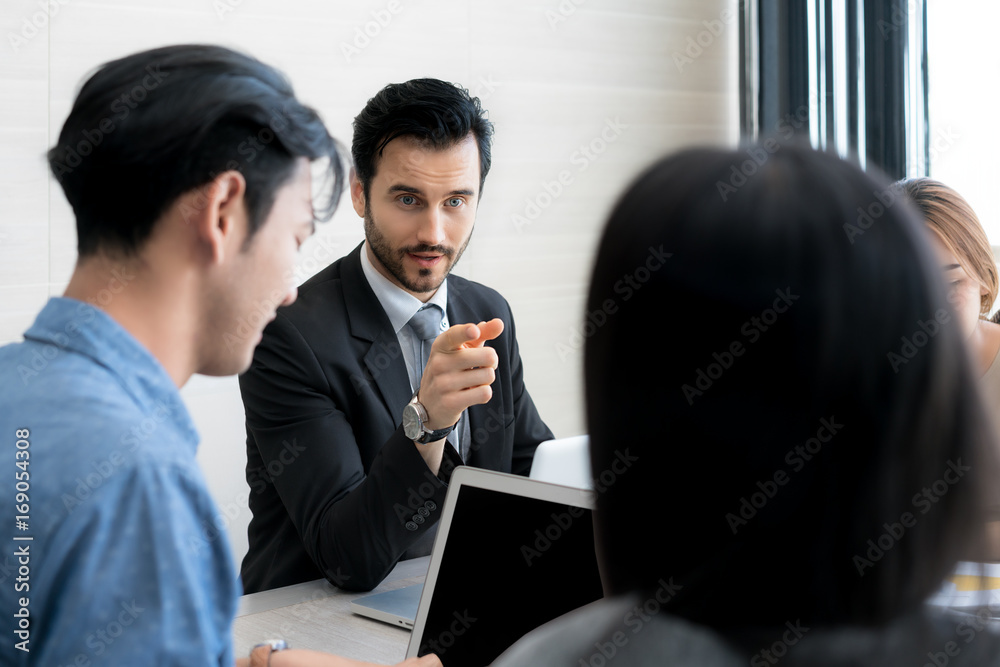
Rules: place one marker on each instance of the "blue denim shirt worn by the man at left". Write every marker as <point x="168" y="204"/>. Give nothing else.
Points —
<point x="119" y="561"/>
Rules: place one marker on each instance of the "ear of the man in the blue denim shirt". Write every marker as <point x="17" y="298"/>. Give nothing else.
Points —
<point x="217" y="211"/>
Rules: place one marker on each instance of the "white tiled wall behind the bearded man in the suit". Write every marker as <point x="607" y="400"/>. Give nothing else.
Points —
<point x="555" y="75"/>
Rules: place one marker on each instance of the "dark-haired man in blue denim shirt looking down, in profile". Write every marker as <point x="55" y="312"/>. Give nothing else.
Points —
<point x="188" y="169"/>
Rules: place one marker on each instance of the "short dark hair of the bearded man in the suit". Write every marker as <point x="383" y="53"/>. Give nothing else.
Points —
<point x="436" y="113"/>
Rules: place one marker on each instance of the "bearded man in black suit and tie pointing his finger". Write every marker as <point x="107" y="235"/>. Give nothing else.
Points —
<point x="339" y="488"/>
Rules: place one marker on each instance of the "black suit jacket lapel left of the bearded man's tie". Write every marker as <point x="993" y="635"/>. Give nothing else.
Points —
<point x="368" y="321"/>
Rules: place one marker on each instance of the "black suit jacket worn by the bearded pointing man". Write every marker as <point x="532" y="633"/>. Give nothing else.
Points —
<point x="336" y="489"/>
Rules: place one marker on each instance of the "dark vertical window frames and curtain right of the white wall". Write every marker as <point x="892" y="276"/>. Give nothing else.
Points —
<point x="884" y="102"/>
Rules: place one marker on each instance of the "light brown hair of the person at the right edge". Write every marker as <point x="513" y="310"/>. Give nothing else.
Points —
<point x="954" y="222"/>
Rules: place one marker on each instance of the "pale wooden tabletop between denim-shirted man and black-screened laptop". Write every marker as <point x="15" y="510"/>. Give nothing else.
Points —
<point x="316" y="615"/>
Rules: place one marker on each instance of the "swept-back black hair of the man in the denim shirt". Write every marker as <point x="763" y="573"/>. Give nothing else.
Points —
<point x="149" y="127"/>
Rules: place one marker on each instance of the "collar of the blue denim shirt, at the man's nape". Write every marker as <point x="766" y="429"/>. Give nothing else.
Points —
<point x="76" y="326"/>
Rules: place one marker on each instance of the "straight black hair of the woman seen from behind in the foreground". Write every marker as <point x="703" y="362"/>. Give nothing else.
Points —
<point x="808" y="435"/>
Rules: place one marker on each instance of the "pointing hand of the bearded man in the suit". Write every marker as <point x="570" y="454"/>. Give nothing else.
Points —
<point x="459" y="372"/>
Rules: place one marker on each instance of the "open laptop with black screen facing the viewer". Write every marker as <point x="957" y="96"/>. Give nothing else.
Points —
<point x="510" y="554"/>
